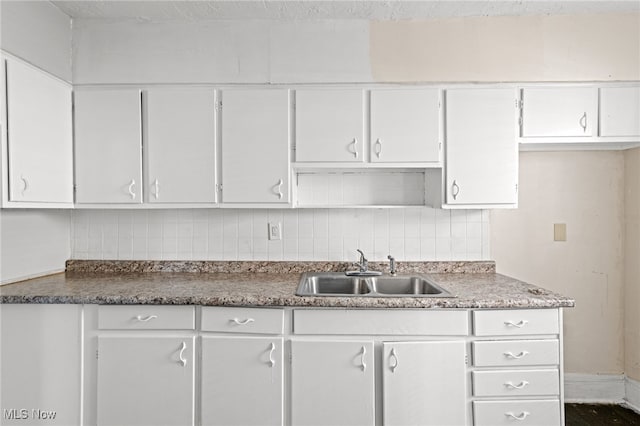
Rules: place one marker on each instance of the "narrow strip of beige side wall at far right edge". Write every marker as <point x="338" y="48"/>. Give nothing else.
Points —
<point x="632" y="263"/>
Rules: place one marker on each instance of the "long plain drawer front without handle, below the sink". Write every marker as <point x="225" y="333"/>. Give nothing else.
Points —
<point x="381" y="322"/>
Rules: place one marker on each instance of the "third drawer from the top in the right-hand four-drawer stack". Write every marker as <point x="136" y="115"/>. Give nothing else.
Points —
<point x="516" y="382"/>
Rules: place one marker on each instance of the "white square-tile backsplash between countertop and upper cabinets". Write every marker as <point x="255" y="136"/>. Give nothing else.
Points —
<point x="409" y="234"/>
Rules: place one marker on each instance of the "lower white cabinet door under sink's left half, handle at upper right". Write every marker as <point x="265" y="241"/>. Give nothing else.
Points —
<point x="332" y="383"/>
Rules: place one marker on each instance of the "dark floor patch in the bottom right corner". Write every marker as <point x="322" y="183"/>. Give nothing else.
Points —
<point x="600" y="414"/>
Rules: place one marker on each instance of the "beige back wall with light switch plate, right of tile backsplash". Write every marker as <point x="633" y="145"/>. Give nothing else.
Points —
<point x="584" y="190"/>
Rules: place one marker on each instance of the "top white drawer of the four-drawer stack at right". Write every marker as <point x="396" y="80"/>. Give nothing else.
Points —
<point x="515" y="322"/>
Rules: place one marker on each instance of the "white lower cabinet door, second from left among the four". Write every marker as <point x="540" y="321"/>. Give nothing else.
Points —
<point x="242" y="381"/>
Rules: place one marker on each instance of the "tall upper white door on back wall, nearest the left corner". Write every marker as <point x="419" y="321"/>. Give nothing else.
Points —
<point x="108" y="150"/>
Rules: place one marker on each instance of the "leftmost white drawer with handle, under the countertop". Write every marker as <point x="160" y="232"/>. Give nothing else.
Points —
<point x="146" y="317"/>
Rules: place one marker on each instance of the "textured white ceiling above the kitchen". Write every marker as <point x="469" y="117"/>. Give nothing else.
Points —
<point x="153" y="10"/>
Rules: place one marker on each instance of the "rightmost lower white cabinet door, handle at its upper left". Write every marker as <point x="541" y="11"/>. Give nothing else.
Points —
<point x="424" y="383"/>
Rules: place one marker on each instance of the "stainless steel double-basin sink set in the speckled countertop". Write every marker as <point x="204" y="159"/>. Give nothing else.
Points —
<point x="338" y="284"/>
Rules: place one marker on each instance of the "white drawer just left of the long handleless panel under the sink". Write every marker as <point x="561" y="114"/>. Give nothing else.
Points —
<point x="243" y="320"/>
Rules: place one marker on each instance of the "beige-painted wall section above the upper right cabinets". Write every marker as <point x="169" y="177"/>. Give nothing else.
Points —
<point x="531" y="48"/>
